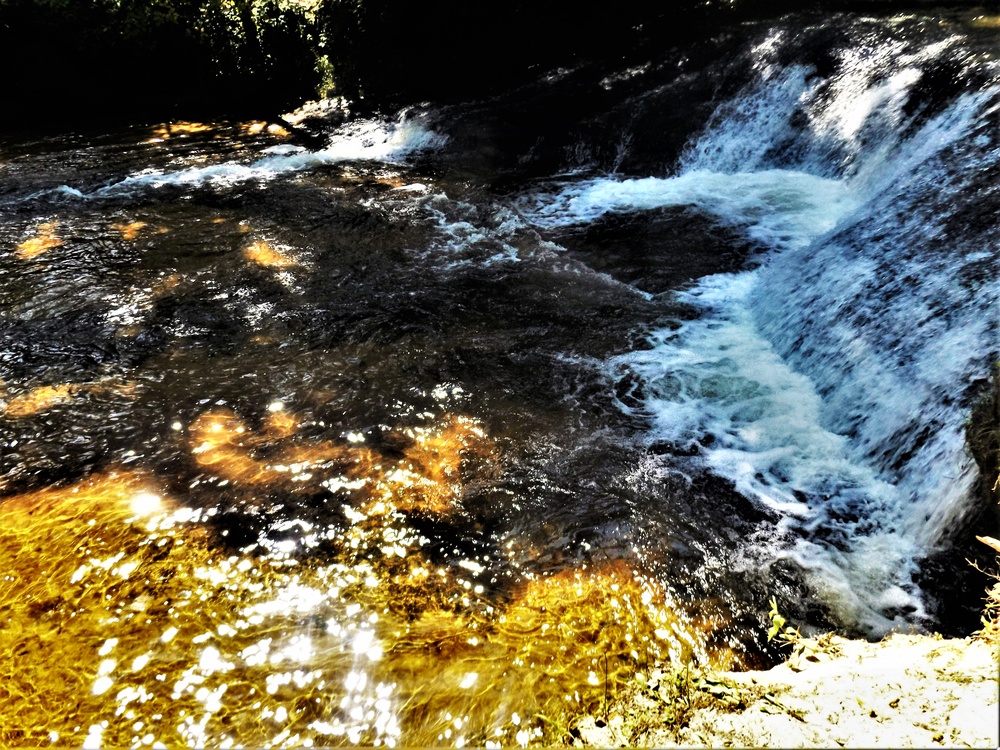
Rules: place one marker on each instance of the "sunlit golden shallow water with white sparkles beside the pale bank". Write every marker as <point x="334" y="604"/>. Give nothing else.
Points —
<point x="125" y="621"/>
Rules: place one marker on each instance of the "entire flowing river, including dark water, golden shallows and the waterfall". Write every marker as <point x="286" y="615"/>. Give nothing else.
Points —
<point x="443" y="432"/>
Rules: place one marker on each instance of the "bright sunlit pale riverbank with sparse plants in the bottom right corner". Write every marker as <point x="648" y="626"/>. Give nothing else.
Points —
<point x="906" y="691"/>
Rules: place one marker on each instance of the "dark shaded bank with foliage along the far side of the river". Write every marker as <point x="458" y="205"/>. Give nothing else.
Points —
<point x="70" y="63"/>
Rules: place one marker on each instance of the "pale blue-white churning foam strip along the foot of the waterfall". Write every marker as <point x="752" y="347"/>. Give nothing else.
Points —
<point x="718" y="381"/>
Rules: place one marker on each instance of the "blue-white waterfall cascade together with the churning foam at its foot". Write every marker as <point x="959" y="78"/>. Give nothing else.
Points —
<point x="830" y="379"/>
